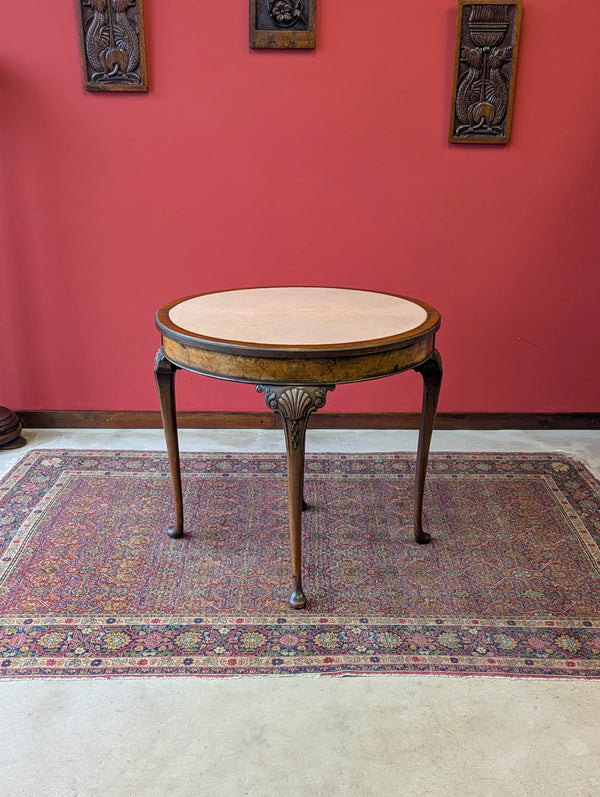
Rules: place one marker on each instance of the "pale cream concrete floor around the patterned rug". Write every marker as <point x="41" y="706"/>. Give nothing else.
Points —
<point x="302" y="735"/>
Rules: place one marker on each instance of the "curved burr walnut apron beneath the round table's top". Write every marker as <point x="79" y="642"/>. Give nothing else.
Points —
<point x="289" y="370"/>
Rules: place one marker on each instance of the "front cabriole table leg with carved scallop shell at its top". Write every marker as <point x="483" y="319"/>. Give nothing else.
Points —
<point x="295" y="405"/>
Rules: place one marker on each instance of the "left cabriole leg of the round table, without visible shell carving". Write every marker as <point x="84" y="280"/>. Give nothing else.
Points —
<point x="164" y="371"/>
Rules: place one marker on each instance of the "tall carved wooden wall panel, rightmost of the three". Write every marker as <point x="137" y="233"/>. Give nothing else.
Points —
<point x="485" y="62"/>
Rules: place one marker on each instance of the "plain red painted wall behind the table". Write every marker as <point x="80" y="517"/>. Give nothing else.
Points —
<point x="330" y="167"/>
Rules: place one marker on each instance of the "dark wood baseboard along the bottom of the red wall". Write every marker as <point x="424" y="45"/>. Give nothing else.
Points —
<point x="78" y="419"/>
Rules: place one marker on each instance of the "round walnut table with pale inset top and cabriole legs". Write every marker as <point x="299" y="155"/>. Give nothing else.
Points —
<point x="296" y="344"/>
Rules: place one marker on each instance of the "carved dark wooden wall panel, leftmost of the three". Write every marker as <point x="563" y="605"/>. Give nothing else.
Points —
<point x="113" y="50"/>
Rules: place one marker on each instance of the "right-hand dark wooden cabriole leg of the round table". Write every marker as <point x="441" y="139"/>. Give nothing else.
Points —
<point x="431" y="371"/>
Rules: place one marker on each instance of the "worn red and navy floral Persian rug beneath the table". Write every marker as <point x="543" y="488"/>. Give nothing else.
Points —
<point x="91" y="585"/>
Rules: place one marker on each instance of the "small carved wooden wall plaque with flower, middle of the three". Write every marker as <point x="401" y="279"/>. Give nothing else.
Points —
<point x="282" y="24"/>
